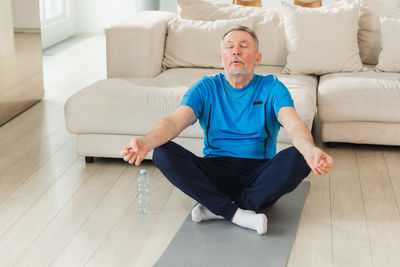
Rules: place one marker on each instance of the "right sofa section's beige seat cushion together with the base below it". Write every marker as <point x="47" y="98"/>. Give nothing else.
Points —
<point x="365" y="104"/>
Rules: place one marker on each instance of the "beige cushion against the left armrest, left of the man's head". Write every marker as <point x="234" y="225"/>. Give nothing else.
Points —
<point x="192" y="43"/>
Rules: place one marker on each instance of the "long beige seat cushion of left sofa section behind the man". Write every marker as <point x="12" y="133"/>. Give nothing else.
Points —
<point x="132" y="106"/>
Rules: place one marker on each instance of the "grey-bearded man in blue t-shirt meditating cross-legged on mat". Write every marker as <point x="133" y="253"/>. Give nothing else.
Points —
<point x="240" y="113"/>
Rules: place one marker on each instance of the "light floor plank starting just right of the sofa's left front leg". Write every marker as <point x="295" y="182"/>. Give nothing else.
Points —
<point x="57" y="235"/>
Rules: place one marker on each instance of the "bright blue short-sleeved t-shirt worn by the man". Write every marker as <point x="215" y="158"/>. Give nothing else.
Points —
<point x="241" y="122"/>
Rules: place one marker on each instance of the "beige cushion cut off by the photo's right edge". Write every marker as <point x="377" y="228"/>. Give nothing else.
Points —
<point x="389" y="57"/>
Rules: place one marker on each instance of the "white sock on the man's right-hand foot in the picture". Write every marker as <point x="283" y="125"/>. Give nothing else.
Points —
<point x="251" y="220"/>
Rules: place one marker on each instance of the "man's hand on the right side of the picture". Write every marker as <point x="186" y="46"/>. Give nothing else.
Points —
<point x="319" y="162"/>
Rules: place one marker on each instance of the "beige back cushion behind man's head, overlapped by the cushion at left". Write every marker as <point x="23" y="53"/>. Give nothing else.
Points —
<point x="268" y="24"/>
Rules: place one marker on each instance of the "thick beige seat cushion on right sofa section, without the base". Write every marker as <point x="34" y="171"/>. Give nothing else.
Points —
<point x="363" y="96"/>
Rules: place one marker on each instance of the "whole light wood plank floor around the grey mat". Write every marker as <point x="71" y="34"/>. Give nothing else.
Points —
<point x="57" y="211"/>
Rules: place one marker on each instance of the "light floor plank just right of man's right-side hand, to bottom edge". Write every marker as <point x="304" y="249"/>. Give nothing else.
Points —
<point x="349" y="228"/>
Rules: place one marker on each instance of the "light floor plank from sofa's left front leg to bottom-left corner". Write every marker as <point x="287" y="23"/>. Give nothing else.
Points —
<point x="22" y="233"/>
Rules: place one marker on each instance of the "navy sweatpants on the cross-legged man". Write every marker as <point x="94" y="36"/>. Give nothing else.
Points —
<point x="215" y="182"/>
